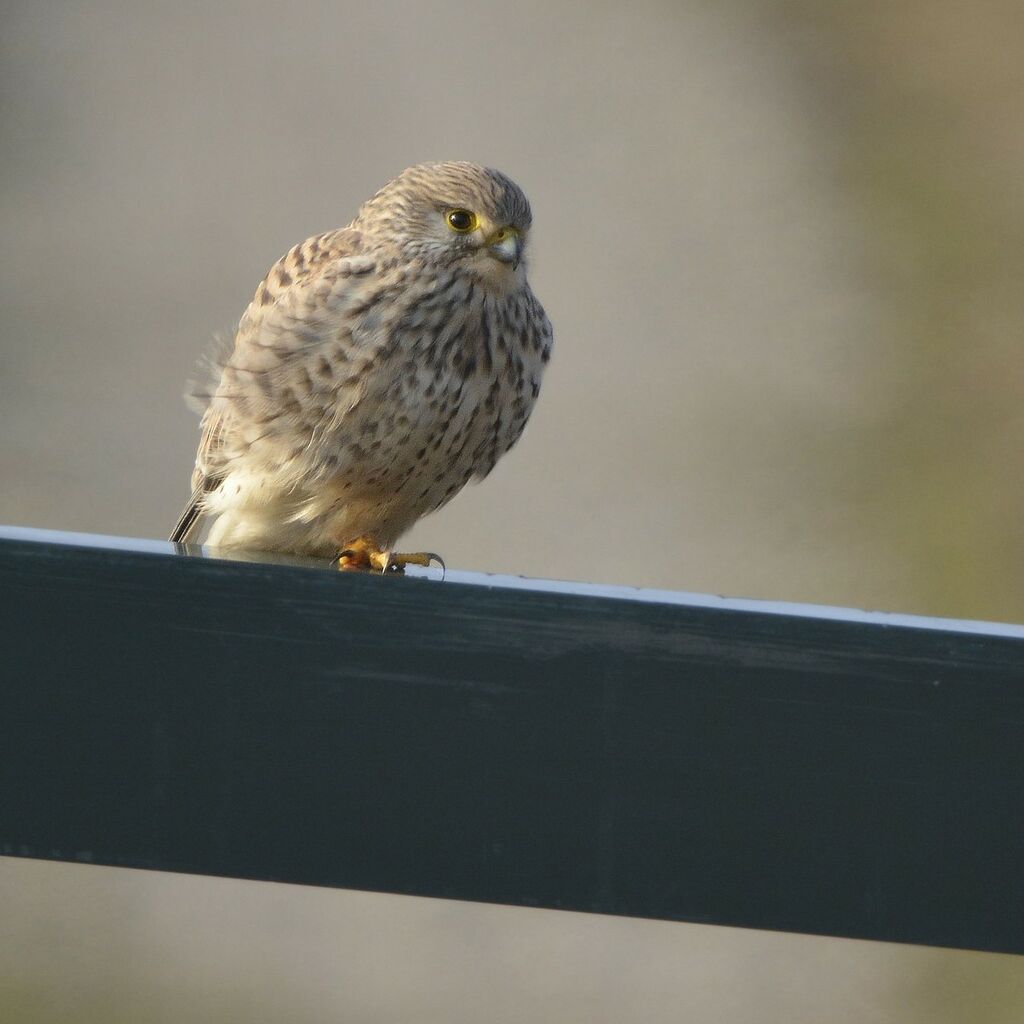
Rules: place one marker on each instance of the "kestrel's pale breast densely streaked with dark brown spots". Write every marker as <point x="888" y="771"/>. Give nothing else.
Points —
<point x="447" y="400"/>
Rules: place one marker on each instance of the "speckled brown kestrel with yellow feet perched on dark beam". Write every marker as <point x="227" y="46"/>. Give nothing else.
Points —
<point x="378" y="369"/>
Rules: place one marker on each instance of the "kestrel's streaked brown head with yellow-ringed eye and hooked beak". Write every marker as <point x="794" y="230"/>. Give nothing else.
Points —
<point x="454" y="215"/>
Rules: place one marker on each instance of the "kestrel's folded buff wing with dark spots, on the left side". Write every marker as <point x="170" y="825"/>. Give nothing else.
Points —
<point x="303" y="302"/>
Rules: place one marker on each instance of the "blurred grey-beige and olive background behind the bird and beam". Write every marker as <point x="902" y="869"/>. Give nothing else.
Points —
<point x="783" y="246"/>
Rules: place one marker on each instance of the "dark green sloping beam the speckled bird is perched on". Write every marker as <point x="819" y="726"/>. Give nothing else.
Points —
<point x="634" y="754"/>
